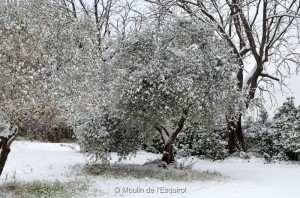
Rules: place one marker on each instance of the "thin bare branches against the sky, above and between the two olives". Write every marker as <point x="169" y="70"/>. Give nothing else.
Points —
<point x="110" y="17"/>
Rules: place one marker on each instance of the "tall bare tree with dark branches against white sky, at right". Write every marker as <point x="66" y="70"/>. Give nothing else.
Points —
<point x="264" y="33"/>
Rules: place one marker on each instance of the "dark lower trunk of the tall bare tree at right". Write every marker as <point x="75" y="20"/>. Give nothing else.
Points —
<point x="236" y="137"/>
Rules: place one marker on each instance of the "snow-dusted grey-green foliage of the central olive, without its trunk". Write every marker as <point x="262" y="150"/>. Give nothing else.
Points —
<point x="157" y="74"/>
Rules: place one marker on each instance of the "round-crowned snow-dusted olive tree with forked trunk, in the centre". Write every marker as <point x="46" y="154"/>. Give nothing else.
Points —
<point x="180" y="71"/>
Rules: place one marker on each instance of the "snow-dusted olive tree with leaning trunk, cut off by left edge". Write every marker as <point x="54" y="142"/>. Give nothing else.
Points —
<point x="37" y="41"/>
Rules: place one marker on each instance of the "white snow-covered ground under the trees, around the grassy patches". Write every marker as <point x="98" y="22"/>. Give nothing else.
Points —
<point x="252" y="178"/>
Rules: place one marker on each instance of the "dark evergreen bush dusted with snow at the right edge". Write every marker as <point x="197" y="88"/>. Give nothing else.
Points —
<point x="276" y="139"/>
